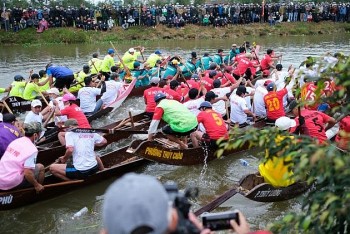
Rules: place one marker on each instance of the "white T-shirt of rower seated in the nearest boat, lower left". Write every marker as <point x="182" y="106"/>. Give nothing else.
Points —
<point x="83" y="153"/>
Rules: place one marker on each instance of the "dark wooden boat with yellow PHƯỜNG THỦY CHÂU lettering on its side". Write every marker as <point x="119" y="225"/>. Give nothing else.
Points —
<point x="163" y="151"/>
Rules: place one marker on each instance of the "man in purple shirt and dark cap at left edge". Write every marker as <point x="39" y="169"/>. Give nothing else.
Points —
<point x="8" y="131"/>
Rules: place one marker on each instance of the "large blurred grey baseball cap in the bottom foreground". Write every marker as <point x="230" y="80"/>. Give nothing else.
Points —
<point x="135" y="201"/>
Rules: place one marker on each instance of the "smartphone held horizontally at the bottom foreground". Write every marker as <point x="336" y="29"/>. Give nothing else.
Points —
<point x="219" y="221"/>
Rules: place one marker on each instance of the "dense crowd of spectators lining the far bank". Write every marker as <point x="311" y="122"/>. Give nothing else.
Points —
<point x="217" y="15"/>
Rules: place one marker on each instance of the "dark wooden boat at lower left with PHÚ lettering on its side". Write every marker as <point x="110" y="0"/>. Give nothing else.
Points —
<point x="116" y="163"/>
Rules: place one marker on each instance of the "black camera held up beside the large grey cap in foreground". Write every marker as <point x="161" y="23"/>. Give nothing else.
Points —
<point x="182" y="205"/>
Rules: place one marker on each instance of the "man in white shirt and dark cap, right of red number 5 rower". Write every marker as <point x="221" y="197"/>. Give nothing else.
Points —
<point x="239" y="109"/>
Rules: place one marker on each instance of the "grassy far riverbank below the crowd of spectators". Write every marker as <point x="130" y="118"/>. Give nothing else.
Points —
<point x="190" y="32"/>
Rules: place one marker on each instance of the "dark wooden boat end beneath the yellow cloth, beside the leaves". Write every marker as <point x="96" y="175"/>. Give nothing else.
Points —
<point x="254" y="188"/>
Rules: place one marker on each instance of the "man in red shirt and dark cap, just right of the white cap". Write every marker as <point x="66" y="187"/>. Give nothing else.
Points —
<point x="316" y="122"/>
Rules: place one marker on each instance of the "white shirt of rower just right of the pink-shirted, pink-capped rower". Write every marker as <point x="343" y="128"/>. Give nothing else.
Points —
<point x="87" y="96"/>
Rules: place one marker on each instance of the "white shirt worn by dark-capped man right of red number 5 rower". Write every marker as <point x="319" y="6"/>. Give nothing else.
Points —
<point x="238" y="106"/>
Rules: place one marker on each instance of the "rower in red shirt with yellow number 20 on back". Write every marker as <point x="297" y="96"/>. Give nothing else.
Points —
<point x="274" y="102"/>
